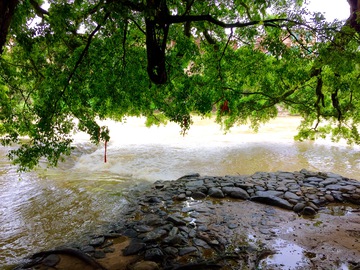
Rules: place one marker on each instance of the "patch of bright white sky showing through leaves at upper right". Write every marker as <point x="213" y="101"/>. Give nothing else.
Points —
<point x="332" y="9"/>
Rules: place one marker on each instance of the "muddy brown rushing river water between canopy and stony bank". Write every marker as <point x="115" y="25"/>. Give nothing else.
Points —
<point x="51" y="207"/>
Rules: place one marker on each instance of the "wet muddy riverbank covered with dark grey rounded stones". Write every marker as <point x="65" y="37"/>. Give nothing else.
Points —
<point x="280" y="220"/>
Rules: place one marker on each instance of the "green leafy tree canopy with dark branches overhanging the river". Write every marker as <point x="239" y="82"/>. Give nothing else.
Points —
<point x="167" y="59"/>
